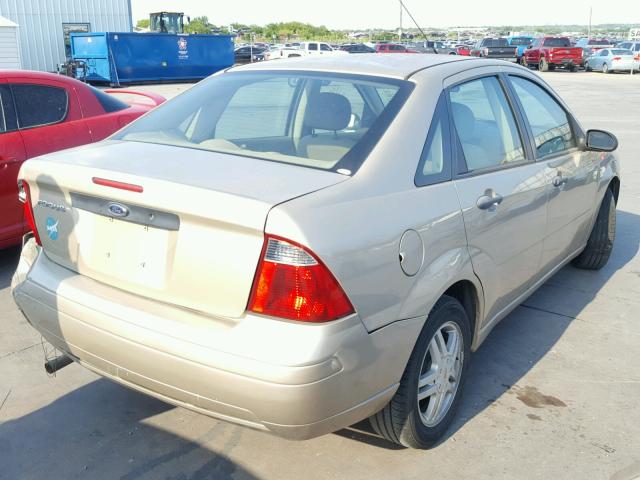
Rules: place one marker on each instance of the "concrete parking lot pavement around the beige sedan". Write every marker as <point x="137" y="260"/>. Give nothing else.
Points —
<point x="552" y="393"/>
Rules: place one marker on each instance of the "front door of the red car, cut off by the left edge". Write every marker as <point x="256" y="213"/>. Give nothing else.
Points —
<point x="12" y="155"/>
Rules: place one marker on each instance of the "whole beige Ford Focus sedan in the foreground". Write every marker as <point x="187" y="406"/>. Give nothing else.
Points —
<point x="298" y="246"/>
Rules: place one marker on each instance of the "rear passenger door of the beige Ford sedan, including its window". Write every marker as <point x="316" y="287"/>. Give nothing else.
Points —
<point x="502" y="190"/>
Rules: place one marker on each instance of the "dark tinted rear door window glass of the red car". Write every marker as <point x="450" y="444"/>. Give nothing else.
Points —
<point x="39" y="105"/>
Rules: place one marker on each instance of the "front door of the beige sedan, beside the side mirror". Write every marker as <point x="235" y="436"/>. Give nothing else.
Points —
<point x="572" y="175"/>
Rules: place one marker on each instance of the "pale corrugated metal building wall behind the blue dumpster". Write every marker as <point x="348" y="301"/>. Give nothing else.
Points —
<point x="40" y="25"/>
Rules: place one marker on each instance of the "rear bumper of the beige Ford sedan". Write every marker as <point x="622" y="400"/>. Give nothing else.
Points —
<point x="296" y="381"/>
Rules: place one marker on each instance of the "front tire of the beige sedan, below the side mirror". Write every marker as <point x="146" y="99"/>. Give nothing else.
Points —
<point x="600" y="243"/>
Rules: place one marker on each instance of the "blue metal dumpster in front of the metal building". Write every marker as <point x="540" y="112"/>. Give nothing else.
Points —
<point x="122" y="57"/>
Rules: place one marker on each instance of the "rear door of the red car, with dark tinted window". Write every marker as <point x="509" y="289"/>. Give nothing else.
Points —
<point x="49" y="116"/>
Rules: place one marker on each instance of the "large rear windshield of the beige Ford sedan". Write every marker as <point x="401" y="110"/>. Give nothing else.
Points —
<point x="317" y="120"/>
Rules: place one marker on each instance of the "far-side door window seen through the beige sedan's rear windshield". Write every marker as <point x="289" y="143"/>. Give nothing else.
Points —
<point x="257" y="110"/>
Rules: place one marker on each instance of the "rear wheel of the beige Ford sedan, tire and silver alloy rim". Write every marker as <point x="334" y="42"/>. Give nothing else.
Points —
<point x="408" y="420"/>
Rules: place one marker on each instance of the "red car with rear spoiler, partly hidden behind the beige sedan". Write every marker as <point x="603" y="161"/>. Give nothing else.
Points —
<point x="43" y="113"/>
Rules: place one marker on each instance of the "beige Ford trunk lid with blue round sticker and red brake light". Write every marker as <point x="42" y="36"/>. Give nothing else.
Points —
<point x="190" y="235"/>
